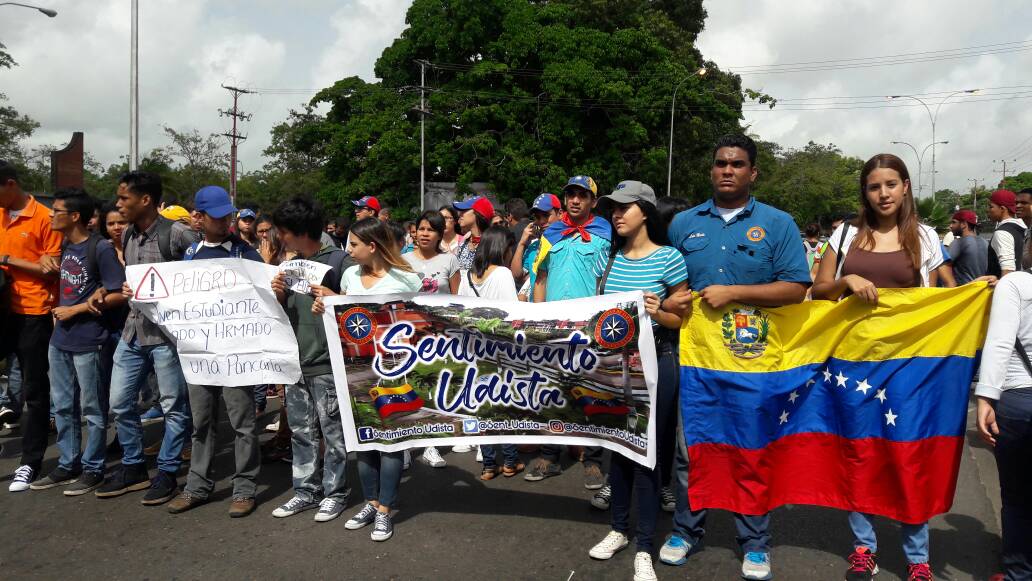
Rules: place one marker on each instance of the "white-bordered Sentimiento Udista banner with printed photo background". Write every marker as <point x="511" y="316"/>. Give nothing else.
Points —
<point x="416" y="371"/>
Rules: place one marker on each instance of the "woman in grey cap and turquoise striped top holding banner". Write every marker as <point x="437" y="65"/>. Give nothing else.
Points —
<point x="641" y="260"/>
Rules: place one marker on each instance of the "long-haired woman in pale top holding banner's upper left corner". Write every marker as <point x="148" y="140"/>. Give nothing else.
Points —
<point x="380" y="271"/>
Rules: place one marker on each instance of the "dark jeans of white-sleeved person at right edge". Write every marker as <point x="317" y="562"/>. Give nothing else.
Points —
<point x="1014" y="448"/>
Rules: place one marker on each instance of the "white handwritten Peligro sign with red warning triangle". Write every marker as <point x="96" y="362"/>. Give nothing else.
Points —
<point x="223" y="317"/>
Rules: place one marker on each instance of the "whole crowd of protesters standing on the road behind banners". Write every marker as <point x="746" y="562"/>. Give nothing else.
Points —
<point x="107" y="365"/>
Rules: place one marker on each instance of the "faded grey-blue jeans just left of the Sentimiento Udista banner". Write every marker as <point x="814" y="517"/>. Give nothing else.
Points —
<point x="313" y="410"/>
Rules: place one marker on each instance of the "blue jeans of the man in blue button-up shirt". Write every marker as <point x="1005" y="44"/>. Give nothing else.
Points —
<point x="753" y="532"/>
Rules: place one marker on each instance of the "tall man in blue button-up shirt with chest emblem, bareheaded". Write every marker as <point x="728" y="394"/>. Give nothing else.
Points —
<point x="736" y="250"/>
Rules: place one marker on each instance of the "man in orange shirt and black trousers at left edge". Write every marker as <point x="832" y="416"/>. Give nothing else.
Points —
<point x="26" y="244"/>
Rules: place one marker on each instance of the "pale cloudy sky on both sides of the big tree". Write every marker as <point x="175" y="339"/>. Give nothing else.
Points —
<point x="825" y="62"/>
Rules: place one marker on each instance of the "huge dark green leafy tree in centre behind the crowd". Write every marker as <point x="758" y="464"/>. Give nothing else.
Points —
<point x="524" y="94"/>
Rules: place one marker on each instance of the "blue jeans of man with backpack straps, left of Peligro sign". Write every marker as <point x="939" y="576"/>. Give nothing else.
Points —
<point x="133" y="364"/>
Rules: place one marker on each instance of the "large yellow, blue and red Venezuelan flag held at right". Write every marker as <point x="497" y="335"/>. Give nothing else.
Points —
<point x="841" y="405"/>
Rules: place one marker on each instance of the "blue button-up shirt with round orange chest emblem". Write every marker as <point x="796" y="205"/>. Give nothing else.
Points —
<point x="761" y="245"/>
